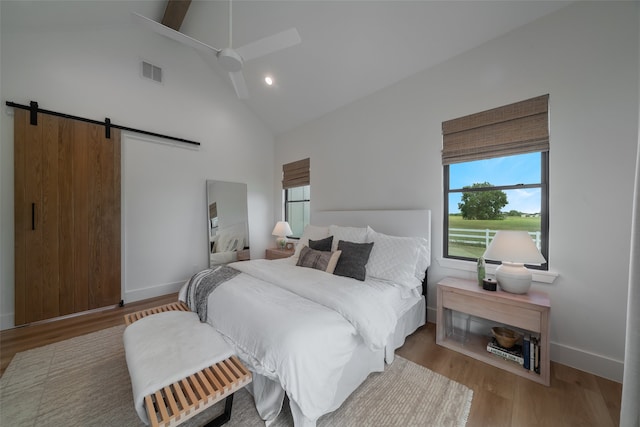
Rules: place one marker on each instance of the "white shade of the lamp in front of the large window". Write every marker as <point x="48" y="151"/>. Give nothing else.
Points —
<point x="514" y="247"/>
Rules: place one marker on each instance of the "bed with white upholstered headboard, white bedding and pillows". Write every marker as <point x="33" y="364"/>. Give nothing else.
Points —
<point x="313" y="335"/>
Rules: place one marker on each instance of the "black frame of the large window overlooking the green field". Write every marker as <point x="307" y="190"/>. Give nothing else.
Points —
<point x="544" y="209"/>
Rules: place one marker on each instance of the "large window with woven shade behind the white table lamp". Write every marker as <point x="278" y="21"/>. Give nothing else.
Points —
<point x="496" y="177"/>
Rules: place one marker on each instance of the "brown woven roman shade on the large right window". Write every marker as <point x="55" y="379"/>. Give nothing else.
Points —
<point x="519" y="128"/>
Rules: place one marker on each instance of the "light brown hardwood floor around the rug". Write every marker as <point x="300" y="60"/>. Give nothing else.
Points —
<point x="575" y="398"/>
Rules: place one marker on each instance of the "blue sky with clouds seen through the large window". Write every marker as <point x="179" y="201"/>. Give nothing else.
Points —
<point x="520" y="169"/>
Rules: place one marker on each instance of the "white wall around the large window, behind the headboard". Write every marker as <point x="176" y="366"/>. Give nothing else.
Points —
<point x="384" y="152"/>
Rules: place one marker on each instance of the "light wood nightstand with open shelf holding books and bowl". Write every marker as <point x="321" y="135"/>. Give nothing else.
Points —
<point x="529" y="312"/>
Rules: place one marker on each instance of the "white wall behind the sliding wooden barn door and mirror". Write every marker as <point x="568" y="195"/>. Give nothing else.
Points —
<point x="95" y="74"/>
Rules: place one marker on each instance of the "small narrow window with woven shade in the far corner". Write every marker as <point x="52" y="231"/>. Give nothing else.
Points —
<point x="297" y="195"/>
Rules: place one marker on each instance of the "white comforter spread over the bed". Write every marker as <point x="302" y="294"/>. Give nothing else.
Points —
<point x="299" y="326"/>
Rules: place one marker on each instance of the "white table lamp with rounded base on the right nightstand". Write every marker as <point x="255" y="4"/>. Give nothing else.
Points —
<point x="514" y="249"/>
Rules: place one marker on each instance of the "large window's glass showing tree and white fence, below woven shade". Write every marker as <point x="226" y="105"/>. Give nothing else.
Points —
<point x="484" y="196"/>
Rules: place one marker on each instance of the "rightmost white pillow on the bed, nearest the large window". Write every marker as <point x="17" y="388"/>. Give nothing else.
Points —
<point x="394" y="258"/>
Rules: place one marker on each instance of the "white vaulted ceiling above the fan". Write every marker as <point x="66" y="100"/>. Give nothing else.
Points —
<point x="349" y="49"/>
